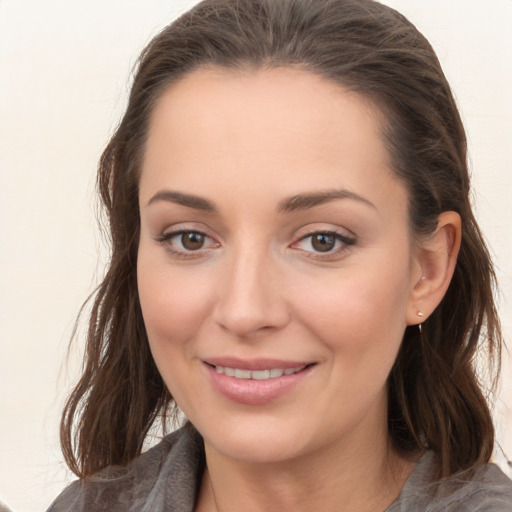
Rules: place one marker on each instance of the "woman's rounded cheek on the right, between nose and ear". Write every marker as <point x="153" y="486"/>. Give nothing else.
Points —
<point x="358" y="313"/>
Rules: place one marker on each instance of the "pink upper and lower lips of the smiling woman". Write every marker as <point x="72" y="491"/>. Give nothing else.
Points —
<point x="252" y="391"/>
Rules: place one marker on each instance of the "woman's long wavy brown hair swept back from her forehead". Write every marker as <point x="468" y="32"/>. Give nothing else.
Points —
<point x="435" y="401"/>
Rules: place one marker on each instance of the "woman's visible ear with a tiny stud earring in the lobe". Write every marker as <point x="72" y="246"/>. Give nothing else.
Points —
<point x="433" y="267"/>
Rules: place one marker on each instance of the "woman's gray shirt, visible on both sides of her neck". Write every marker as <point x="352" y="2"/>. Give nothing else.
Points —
<point x="166" y="478"/>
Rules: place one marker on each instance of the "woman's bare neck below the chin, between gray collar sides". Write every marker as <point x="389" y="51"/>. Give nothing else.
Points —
<point x="363" y="476"/>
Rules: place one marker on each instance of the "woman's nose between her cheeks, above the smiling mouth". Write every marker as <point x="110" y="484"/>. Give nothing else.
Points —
<point x="251" y="296"/>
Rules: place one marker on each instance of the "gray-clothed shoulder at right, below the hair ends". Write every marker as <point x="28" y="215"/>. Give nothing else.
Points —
<point x="489" y="490"/>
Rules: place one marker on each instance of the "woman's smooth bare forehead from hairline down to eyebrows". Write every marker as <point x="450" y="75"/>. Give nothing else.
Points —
<point x="281" y="130"/>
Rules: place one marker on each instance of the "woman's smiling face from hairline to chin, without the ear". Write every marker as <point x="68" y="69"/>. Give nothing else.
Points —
<point x="275" y="265"/>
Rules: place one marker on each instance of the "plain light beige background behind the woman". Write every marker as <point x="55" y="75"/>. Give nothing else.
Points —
<point x="64" y="69"/>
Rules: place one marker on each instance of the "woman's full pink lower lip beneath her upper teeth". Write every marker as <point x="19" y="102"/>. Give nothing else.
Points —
<point x="252" y="391"/>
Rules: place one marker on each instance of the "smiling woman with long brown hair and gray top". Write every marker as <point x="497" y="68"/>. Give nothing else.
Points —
<point x="296" y="266"/>
